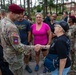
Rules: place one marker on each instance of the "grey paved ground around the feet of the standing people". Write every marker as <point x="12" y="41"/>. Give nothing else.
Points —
<point x="40" y="72"/>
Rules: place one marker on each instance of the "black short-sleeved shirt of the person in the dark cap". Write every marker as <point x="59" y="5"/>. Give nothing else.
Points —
<point x="61" y="47"/>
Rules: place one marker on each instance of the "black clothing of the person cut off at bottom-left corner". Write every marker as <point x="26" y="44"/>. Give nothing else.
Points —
<point x="4" y="66"/>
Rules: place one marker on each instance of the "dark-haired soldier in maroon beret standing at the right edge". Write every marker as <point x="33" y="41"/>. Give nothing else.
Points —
<point x="71" y="34"/>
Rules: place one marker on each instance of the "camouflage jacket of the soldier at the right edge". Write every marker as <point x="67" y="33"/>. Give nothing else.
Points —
<point x="72" y="33"/>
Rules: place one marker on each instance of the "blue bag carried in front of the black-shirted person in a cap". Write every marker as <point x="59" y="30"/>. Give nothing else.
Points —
<point x="51" y="62"/>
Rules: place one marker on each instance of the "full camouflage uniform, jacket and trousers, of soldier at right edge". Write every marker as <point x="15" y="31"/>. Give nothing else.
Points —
<point x="71" y="34"/>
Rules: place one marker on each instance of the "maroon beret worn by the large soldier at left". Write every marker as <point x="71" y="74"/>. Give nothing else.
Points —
<point x="15" y="9"/>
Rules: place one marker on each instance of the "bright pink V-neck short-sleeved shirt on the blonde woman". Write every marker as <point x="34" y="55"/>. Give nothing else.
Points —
<point x="40" y="36"/>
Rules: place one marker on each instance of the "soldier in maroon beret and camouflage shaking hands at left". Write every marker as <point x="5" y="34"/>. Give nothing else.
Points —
<point x="13" y="48"/>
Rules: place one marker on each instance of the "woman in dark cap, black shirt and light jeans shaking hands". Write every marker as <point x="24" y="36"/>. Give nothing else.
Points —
<point x="60" y="48"/>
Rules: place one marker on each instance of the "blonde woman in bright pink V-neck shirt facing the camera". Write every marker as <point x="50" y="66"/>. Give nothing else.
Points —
<point x="42" y="35"/>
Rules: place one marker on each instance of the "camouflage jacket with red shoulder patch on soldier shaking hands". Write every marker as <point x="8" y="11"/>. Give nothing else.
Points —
<point x="13" y="49"/>
